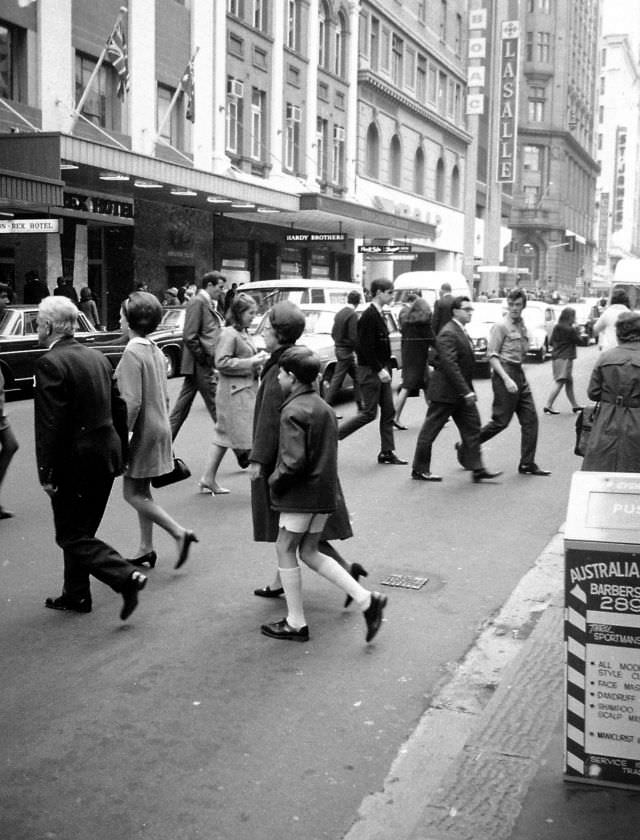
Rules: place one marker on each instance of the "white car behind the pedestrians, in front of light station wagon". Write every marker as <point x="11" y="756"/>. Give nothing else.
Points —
<point x="317" y="336"/>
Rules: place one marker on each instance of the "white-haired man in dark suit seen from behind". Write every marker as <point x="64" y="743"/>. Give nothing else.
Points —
<point x="80" y="432"/>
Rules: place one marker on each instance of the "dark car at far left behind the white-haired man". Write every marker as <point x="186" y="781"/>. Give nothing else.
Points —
<point x="19" y="347"/>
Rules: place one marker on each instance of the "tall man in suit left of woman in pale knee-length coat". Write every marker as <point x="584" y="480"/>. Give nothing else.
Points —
<point x="202" y="326"/>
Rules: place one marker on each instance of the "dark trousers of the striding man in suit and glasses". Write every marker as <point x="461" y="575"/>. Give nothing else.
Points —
<point x="466" y="418"/>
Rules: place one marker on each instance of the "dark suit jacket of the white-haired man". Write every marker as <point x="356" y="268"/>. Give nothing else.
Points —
<point x="80" y="418"/>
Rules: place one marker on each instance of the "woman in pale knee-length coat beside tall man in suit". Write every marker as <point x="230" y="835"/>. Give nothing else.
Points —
<point x="238" y="364"/>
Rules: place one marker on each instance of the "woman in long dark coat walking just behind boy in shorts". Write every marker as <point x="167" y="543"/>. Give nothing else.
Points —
<point x="283" y="327"/>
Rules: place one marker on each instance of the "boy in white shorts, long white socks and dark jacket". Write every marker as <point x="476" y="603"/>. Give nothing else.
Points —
<point x="303" y="490"/>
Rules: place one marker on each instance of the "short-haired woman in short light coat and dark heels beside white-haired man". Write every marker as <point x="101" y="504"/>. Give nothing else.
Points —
<point x="142" y="382"/>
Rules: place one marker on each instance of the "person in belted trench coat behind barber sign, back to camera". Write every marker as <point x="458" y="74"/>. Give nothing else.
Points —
<point x="614" y="442"/>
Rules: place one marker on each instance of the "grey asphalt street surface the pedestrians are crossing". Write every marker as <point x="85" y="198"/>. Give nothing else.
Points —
<point x="185" y="722"/>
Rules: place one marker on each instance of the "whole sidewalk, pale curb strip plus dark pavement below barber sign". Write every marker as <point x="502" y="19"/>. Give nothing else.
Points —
<point x="486" y="761"/>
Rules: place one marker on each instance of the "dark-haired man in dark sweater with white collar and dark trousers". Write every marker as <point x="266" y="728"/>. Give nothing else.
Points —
<point x="373" y="351"/>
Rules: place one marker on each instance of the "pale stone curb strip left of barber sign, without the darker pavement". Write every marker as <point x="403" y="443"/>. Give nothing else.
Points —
<point x="464" y="771"/>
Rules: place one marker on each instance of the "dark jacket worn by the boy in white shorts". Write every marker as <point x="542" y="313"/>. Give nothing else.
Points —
<point x="305" y="479"/>
